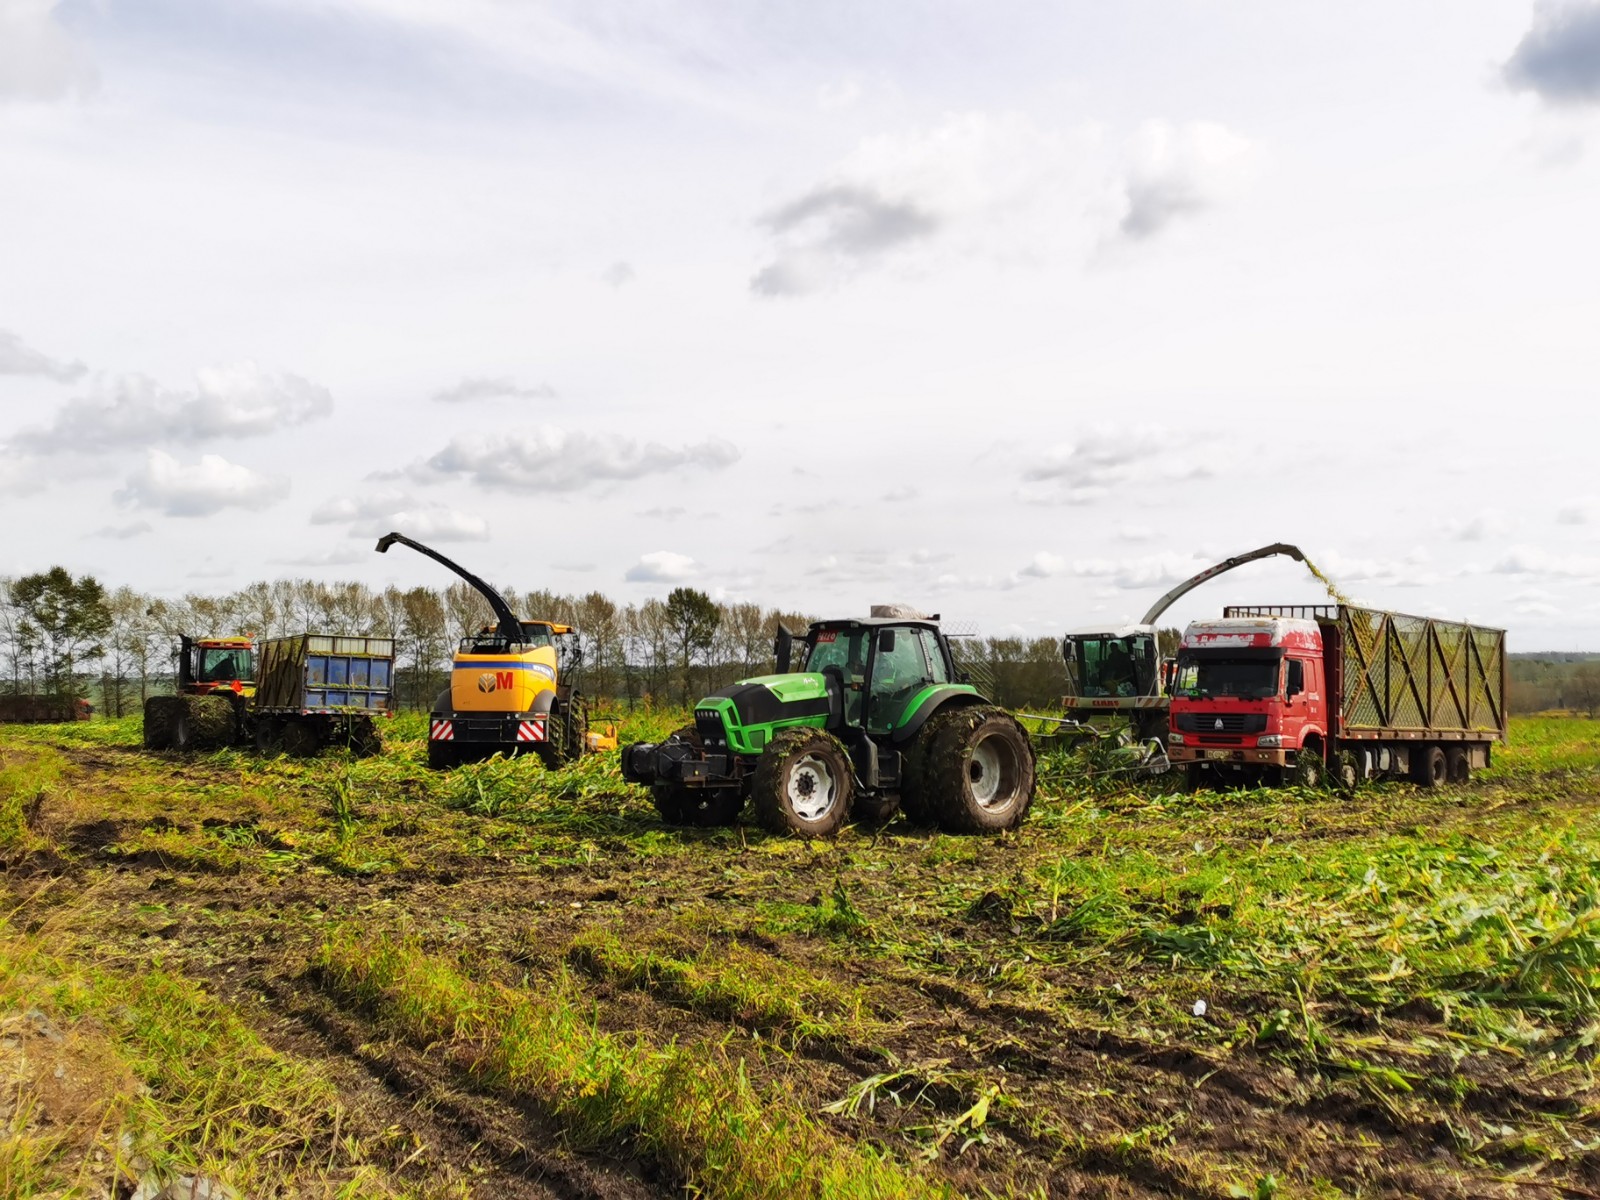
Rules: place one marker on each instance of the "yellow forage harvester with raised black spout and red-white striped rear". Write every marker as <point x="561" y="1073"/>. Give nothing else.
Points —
<point x="513" y="687"/>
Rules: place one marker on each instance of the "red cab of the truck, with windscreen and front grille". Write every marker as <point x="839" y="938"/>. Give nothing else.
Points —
<point x="1250" y="702"/>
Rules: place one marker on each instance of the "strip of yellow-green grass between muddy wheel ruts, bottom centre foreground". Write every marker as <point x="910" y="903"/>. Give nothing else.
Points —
<point x="689" y="1108"/>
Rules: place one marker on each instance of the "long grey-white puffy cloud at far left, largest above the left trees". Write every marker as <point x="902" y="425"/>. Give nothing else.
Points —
<point x="239" y="401"/>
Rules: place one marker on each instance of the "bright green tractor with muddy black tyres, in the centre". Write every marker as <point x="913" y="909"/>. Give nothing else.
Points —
<point x="874" y="719"/>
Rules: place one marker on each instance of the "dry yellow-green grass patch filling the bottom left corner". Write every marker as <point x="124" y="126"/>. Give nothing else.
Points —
<point x="167" y="1081"/>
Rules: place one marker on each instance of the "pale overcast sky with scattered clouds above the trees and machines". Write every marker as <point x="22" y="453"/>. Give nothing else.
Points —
<point x="1017" y="313"/>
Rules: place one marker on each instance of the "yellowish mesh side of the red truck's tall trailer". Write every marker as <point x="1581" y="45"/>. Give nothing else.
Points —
<point x="1410" y="674"/>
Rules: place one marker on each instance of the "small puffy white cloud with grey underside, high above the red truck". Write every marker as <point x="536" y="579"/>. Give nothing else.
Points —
<point x="1180" y="170"/>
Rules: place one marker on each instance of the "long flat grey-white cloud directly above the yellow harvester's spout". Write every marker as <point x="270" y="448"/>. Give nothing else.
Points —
<point x="553" y="460"/>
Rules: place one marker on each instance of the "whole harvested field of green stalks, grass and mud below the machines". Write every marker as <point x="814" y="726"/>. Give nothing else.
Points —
<point x="354" y="978"/>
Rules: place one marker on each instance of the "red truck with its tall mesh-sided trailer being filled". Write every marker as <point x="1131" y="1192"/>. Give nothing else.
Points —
<point x="1294" y="694"/>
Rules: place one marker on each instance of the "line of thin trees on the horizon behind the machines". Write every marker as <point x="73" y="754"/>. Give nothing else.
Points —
<point x="73" y="636"/>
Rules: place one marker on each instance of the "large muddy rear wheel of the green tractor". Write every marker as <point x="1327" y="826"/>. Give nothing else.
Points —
<point x="978" y="772"/>
